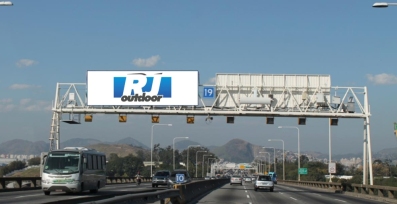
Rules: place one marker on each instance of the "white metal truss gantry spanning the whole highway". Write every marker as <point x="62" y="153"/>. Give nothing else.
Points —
<point x="263" y="95"/>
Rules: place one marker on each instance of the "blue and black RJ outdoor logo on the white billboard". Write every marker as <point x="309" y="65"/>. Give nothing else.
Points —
<point x="138" y="87"/>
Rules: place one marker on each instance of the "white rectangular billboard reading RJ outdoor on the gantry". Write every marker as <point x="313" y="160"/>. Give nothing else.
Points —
<point x="142" y="88"/>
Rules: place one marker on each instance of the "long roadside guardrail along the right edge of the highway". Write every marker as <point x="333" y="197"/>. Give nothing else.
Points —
<point x="375" y="192"/>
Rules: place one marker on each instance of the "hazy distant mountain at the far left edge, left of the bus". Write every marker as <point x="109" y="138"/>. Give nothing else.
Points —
<point x="23" y="147"/>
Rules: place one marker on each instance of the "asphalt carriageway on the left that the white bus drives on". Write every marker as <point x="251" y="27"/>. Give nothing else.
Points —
<point x="37" y="196"/>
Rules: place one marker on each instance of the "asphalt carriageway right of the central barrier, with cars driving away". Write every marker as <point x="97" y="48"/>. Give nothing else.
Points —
<point x="245" y="194"/>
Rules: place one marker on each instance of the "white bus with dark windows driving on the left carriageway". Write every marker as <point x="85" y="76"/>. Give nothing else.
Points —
<point x="73" y="169"/>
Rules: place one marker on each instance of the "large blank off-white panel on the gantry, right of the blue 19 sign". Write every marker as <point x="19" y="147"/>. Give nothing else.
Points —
<point x="277" y="90"/>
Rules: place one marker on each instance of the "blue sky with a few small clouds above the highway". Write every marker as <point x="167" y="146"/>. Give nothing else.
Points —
<point x="46" y="42"/>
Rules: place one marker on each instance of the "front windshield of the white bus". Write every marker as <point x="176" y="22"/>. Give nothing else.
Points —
<point x="62" y="163"/>
